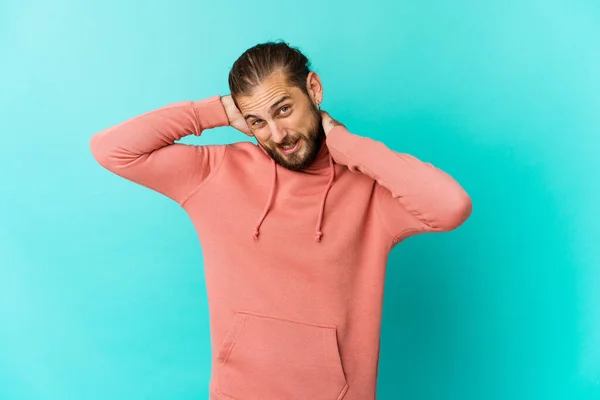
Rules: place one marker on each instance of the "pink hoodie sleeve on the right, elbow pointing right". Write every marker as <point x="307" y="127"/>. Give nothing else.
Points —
<point x="412" y="196"/>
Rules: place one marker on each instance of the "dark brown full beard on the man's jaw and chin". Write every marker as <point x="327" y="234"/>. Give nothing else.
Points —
<point x="301" y="158"/>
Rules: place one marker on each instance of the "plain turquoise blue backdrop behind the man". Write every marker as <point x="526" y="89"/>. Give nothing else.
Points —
<point x="102" y="293"/>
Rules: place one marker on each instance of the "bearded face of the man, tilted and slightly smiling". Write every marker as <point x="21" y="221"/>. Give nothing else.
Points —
<point x="285" y="122"/>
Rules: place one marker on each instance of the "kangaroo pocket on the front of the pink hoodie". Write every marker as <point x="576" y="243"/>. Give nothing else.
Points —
<point x="268" y="358"/>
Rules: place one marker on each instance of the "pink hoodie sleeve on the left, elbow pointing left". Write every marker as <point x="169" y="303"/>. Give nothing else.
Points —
<point x="143" y="149"/>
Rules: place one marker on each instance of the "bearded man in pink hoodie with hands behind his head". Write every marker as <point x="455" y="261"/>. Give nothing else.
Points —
<point x="295" y="232"/>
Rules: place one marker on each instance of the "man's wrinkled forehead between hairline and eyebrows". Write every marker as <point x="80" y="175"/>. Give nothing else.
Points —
<point x="266" y="94"/>
